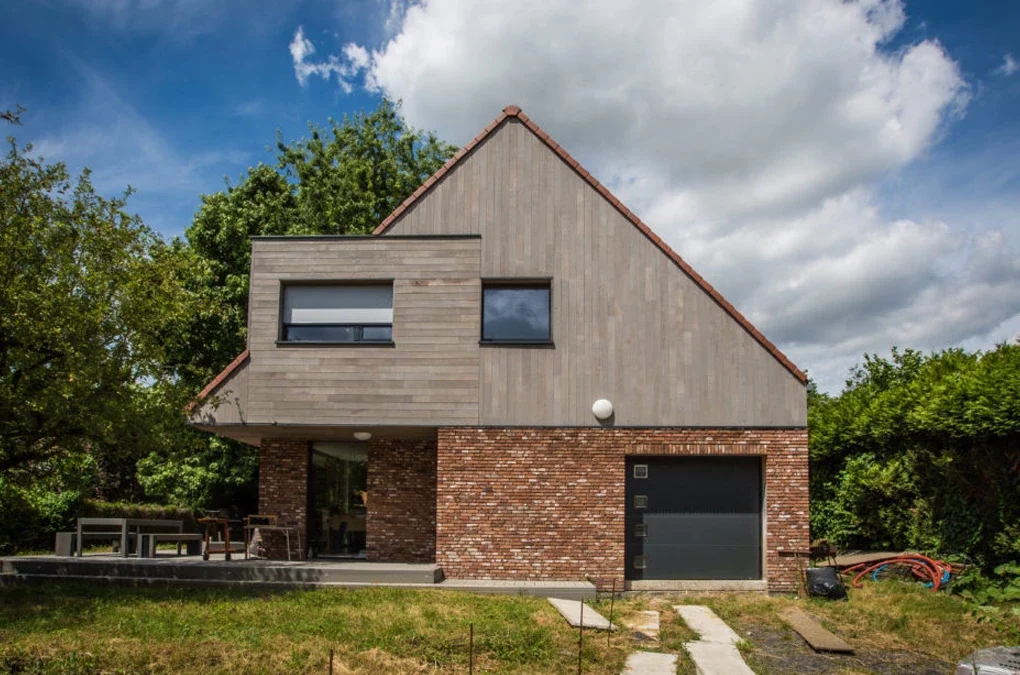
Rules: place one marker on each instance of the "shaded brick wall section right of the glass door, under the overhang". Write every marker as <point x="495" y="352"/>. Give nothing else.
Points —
<point x="401" y="523"/>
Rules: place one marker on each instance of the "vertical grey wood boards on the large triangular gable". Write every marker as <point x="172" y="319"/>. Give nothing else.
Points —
<point x="628" y="324"/>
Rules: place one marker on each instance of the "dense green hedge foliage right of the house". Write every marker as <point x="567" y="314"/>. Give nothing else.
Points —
<point x="922" y="452"/>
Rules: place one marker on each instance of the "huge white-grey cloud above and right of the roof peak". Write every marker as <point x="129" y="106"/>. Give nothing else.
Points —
<point x="750" y="134"/>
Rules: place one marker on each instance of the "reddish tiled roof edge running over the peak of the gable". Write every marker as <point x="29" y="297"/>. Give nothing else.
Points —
<point x="516" y="112"/>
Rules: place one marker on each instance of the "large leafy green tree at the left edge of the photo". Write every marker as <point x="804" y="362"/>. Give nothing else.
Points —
<point x="90" y="302"/>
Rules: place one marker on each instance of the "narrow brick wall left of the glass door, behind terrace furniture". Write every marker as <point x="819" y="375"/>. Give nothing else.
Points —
<point x="283" y="491"/>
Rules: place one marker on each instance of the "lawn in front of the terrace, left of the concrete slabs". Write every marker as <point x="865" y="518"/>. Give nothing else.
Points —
<point x="76" y="629"/>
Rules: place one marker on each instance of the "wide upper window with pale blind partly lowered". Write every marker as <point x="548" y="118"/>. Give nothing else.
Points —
<point x="337" y="314"/>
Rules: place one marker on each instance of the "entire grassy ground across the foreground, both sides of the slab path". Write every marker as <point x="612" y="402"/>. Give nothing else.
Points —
<point x="78" y="629"/>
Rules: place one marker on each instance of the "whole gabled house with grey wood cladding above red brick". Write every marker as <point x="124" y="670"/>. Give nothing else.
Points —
<point x="517" y="379"/>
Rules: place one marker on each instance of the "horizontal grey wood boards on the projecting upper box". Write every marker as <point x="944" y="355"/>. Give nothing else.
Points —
<point x="430" y="377"/>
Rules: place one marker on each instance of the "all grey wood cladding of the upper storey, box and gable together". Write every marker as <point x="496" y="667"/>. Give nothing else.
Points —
<point x="629" y="325"/>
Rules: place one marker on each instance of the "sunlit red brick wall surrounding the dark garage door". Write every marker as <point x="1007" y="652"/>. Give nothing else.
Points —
<point x="549" y="504"/>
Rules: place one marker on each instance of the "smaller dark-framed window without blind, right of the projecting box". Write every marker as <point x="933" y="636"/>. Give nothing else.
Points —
<point x="517" y="313"/>
